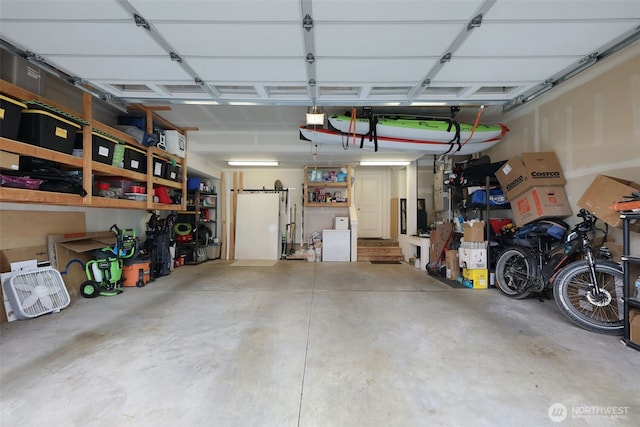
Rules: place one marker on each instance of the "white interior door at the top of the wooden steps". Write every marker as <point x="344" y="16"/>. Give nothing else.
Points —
<point x="369" y="203"/>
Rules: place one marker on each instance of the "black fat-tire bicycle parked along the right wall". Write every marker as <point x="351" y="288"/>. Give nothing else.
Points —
<point x="586" y="288"/>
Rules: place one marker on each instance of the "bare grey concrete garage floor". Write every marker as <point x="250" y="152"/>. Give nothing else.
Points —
<point x="312" y="344"/>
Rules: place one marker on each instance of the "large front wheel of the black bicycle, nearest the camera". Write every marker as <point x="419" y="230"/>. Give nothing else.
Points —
<point x="573" y="292"/>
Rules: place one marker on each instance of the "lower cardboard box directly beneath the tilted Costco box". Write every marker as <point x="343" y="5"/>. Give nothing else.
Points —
<point x="538" y="203"/>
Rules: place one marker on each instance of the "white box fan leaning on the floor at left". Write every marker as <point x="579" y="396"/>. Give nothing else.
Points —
<point x="36" y="292"/>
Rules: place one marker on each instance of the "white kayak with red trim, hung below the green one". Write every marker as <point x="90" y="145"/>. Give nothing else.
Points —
<point x="328" y="136"/>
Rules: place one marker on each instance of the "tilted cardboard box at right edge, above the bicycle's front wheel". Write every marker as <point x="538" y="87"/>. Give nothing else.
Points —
<point x="603" y="192"/>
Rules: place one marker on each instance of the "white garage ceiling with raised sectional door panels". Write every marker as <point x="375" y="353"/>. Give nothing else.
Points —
<point x="286" y="55"/>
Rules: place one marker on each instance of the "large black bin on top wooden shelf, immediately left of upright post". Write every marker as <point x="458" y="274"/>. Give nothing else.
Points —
<point x="47" y="130"/>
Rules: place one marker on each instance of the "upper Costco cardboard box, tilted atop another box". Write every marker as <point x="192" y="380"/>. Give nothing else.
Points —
<point x="534" y="169"/>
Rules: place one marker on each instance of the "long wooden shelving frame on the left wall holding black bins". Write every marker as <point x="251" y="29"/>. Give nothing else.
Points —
<point x="91" y="169"/>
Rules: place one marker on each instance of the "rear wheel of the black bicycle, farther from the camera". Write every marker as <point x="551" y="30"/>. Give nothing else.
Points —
<point x="514" y="267"/>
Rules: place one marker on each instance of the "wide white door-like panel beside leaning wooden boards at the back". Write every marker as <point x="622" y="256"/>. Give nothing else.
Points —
<point x="257" y="235"/>
